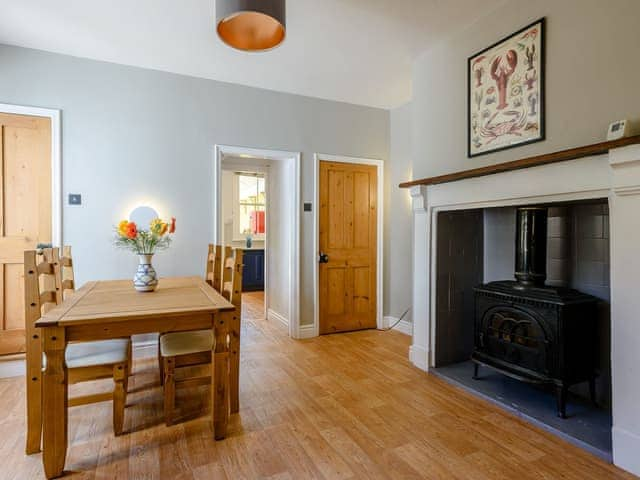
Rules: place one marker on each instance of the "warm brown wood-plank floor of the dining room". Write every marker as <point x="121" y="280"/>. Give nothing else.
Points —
<point x="342" y="406"/>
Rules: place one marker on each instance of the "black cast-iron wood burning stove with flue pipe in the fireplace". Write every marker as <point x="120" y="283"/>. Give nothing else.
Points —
<point x="533" y="332"/>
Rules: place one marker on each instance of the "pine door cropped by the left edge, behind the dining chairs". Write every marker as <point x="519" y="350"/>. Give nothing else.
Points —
<point x="25" y="214"/>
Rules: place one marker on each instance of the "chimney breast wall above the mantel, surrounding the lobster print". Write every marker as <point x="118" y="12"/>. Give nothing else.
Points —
<point x="592" y="78"/>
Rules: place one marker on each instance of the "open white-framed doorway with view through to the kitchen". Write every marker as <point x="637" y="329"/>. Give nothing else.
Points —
<point x="256" y="200"/>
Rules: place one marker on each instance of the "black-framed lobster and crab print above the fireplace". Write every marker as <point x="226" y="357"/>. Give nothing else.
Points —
<point x="506" y="92"/>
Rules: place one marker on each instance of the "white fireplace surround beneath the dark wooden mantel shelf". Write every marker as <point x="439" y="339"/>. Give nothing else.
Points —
<point x="615" y="176"/>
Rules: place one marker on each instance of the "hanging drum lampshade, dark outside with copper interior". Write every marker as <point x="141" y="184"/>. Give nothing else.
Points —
<point x="251" y="25"/>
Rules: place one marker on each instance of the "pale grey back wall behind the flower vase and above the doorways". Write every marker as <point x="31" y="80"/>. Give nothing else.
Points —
<point x="132" y="135"/>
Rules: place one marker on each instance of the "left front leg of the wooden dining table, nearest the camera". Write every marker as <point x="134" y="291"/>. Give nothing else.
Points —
<point x="54" y="439"/>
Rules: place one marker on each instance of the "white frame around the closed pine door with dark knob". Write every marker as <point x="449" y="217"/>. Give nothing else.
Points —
<point x="379" y="164"/>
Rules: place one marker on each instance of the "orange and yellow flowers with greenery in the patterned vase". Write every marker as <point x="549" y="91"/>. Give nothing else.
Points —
<point x="145" y="242"/>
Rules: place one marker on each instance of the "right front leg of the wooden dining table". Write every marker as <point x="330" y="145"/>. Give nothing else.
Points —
<point x="220" y="374"/>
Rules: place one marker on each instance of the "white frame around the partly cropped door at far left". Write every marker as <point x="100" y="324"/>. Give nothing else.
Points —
<point x="56" y="162"/>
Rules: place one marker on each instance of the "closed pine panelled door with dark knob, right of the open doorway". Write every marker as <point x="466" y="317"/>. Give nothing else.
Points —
<point x="348" y="247"/>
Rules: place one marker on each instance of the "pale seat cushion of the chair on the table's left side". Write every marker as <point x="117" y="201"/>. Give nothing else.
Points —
<point x="91" y="354"/>
